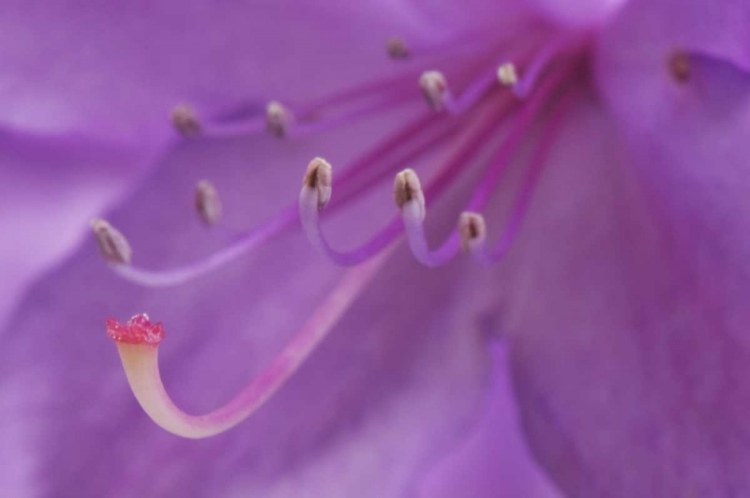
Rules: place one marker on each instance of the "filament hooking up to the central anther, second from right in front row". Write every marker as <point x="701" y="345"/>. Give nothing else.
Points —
<point x="450" y="248"/>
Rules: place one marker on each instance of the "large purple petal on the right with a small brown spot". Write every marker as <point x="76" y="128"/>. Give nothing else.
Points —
<point x="629" y="296"/>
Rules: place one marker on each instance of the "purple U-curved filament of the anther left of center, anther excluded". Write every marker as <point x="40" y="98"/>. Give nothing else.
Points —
<point x="309" y="214"/>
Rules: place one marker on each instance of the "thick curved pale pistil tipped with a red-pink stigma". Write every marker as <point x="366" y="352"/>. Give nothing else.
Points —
<point x="138" y="345"/>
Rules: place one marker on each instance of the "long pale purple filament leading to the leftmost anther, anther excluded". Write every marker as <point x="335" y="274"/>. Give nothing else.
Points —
<point x="286" y="219"/>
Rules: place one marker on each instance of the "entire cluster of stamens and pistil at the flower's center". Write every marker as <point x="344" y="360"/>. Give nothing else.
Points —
<point x="482" y="107"/>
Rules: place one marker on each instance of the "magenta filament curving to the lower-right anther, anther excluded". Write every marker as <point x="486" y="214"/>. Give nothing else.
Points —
<point x="520" y="208"/>
